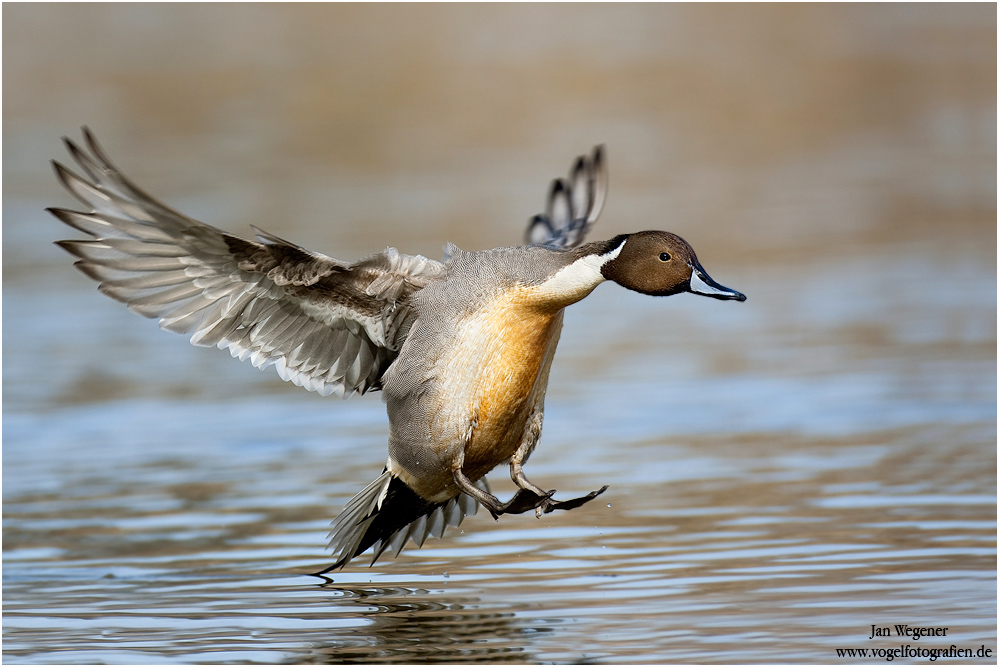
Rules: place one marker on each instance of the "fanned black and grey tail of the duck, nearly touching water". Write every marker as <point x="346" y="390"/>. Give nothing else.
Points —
<point x="386" y="514"/>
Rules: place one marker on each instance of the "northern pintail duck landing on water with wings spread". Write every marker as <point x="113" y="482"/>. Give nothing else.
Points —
<point x="461" y="349"/>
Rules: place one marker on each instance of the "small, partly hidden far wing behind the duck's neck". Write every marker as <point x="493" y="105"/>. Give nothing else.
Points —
<point x="573" y="204"/>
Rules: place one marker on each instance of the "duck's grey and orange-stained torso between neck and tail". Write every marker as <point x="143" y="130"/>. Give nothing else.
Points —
<point x="469" y="377"/>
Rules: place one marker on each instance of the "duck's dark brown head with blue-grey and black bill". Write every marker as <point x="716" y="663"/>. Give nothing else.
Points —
<point x="660" y="264"/>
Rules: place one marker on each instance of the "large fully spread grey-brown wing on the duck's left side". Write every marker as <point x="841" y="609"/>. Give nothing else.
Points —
<point x="326" y="325"/>
